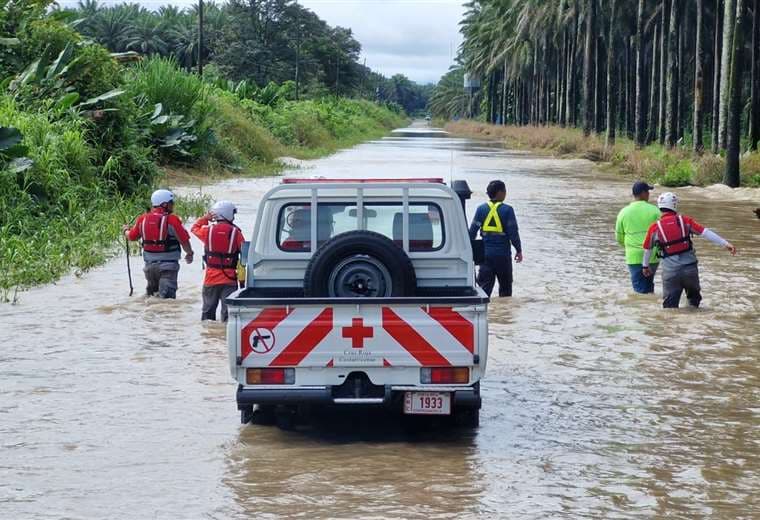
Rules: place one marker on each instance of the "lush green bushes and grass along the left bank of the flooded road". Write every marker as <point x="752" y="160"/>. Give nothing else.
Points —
<point x="85" y="135"/>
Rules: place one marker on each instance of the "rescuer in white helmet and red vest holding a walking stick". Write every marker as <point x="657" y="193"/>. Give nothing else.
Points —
<point x="162" y="235"/>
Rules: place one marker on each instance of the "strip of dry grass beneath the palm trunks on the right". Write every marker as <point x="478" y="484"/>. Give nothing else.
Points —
<point x="674" y="167"/>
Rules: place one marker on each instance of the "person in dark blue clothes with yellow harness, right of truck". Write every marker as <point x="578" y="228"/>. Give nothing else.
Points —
<point x="497" y="224"/>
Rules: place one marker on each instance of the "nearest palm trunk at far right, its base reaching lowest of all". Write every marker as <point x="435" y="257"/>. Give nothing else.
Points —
<point x="733" y="177"/>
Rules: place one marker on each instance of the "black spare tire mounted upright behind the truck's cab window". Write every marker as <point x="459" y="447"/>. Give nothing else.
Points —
<point x="359" y="264"/>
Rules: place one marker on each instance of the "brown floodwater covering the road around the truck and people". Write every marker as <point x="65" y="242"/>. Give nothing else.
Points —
<point x="597" y="403"/>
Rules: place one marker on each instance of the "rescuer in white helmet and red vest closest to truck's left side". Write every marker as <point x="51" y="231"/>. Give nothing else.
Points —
<point x="222" y="242"/>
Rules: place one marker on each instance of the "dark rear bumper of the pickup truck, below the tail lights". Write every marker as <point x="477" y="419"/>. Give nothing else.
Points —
<point x="463" y="398"/>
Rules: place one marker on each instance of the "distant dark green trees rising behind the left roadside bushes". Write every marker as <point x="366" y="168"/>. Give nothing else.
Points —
<point x="261" y="41"/>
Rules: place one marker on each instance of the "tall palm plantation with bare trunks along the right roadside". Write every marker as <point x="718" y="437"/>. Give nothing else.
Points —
<point x="677" y="72"/>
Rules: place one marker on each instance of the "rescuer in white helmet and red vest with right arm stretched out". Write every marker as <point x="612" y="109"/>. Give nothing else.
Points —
<point x="672" y="234"/>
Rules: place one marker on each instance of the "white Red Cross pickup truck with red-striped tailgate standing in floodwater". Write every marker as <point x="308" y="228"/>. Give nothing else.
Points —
<point x="360" y="293"/>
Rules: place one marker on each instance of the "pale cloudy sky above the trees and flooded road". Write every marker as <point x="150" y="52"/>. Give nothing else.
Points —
<point x="411" y="37"/>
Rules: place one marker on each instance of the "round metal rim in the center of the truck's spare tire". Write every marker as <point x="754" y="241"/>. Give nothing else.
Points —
<point x="360" y="276"/>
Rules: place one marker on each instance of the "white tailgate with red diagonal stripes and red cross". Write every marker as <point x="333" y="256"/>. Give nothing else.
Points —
<point x="356" y="335"/>
